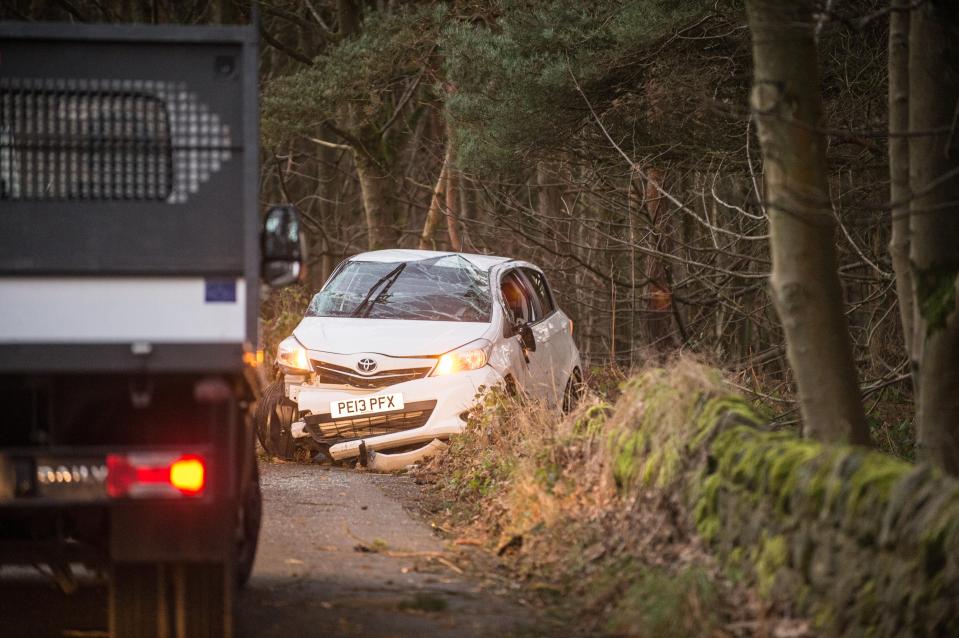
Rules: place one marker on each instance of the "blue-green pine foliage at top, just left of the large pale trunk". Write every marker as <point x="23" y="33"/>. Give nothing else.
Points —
<point x="515" y="83"/>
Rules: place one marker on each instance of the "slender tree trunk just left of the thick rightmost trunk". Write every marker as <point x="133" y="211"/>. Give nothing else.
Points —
<point x="899" y="162"/>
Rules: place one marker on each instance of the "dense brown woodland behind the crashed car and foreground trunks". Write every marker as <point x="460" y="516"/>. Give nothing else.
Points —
<point x="611" y="142"/>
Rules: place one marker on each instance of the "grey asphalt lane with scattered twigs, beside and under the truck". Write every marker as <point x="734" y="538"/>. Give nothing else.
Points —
<point x="313" y="574"/>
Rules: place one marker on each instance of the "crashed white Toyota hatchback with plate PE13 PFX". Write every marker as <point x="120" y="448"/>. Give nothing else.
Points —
<point x="395" y="348"/>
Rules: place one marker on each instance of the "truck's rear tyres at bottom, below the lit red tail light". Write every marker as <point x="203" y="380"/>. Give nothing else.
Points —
<point x="180" y="600"/>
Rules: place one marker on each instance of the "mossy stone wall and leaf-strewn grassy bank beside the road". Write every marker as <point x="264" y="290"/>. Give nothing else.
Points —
<point x="675" y="512"/>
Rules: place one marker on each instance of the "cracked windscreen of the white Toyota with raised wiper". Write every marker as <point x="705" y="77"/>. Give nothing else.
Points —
<point x="447" y="288"/>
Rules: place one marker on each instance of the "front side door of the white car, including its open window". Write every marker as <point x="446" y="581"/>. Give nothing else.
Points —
<point x="530" y="368"/>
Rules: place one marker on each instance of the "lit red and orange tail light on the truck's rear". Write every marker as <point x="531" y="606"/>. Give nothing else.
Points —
<point x="155" y="475"/>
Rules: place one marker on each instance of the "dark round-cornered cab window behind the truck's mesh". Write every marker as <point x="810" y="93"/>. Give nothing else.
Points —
<point x="70" y="145"/>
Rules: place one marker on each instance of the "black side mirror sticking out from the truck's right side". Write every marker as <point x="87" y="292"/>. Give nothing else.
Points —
<point x="283" y="246"/>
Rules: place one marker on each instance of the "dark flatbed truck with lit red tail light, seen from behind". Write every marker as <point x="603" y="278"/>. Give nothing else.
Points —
<point x="131" y="255"/>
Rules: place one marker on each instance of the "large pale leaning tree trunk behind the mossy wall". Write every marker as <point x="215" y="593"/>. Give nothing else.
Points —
<point x="804" y="281"/>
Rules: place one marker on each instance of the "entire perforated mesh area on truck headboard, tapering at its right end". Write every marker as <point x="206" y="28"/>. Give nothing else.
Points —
<point x="106" y="139"/>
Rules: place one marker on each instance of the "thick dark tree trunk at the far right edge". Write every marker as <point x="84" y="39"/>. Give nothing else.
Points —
<point x="934" y="226"/>
